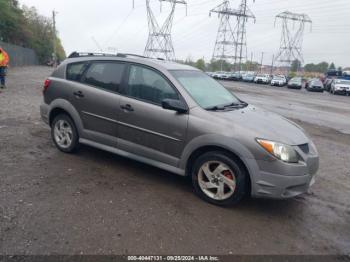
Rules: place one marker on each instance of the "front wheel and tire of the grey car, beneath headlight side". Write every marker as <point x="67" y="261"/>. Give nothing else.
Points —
<point x="232" y="180"/>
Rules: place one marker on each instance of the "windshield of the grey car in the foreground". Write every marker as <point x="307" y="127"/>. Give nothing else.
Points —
<point x="207" y="92"/>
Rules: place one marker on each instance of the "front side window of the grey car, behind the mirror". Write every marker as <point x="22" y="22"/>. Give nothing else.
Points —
<point x="148" y="85"/>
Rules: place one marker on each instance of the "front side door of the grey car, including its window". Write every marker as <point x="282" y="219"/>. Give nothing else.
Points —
<point x="145" y="128"/>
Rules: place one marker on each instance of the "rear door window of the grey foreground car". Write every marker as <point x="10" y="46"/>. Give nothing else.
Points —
<point x="106" y="75"/>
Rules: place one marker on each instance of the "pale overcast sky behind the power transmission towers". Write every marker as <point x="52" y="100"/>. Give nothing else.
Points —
<point x="114" y="23"/>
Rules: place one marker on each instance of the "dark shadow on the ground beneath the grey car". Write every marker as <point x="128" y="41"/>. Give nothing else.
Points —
<point x="152" y="175"/>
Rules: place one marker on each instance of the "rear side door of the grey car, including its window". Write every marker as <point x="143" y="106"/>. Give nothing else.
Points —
<point x="96" y="98"/>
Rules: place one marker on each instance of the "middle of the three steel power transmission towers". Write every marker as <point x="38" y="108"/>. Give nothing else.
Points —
<point x="231" y="42"/>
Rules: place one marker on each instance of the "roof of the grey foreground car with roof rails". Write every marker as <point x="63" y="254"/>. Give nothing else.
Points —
<point x="153" y="62"/>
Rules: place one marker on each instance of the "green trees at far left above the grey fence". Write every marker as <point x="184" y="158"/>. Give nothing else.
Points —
<point x="25" y="27"/>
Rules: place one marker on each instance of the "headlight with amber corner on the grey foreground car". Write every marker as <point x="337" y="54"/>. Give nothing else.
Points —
<point x="283" y="152"/>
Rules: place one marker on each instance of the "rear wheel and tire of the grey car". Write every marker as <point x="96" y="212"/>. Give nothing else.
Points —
<point x="64" y="133"/>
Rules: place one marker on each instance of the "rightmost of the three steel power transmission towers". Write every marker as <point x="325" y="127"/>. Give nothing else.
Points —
<point x="293" y="26"/>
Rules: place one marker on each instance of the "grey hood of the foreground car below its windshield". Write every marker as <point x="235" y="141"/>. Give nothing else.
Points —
<point x="259" y="123"/>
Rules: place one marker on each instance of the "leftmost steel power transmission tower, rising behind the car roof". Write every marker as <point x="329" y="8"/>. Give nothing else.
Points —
<point x="159" y="43"/>
